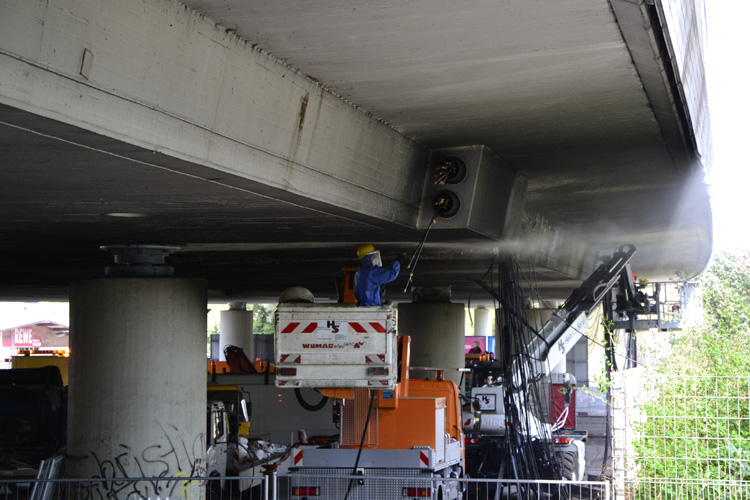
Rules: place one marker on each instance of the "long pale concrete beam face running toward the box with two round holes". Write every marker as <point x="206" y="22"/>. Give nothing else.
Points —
<point x="157" y="75"/>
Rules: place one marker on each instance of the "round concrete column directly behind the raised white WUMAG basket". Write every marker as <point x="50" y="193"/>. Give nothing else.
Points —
<point x="437" y="336"/>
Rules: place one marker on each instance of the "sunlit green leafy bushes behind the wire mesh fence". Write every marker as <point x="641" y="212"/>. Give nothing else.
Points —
<point x="697" y="421"/>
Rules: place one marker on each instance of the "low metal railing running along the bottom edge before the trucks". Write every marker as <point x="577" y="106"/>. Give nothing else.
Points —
<point x="299" y="487"/>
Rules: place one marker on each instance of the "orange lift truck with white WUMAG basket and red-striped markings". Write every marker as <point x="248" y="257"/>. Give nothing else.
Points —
<point x="399" y="437"/>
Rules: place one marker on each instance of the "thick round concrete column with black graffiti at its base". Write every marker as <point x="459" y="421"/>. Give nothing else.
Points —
<point x="137" y="400"/>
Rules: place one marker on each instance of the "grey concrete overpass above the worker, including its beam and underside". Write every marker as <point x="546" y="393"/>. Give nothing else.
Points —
<point x="268" y="140"/>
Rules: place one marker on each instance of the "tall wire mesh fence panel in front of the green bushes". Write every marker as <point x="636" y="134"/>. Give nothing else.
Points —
<point x="690" y="438"/>
